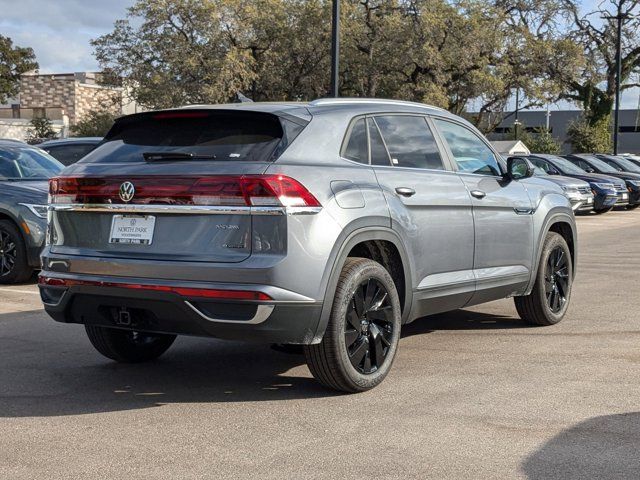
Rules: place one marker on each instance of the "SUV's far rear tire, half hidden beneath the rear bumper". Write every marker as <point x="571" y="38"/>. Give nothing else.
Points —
<point x="126" y="346"/>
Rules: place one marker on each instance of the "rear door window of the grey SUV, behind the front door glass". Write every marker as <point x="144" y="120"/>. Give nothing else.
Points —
<point x="410" y="142"/>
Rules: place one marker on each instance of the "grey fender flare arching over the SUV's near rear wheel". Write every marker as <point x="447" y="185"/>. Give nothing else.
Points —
<point x="355" y="237"/>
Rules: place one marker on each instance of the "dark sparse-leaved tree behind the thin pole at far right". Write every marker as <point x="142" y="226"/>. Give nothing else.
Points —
<point x="594" y="88"/>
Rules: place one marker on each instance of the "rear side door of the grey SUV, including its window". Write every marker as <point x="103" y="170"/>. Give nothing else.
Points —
<point x="430" y="208"/>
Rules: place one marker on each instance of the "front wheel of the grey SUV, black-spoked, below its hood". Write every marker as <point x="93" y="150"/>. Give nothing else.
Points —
<point x="548" y="301"/>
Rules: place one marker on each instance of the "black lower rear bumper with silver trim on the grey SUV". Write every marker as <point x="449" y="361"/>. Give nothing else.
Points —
<point x="286" y="318"/>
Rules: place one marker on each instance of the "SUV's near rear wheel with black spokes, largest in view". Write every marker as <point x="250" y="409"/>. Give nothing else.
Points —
<point x="362" y="336"/>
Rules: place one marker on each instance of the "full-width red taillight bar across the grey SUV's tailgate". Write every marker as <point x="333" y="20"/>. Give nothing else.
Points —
<point x="223" y="190"/>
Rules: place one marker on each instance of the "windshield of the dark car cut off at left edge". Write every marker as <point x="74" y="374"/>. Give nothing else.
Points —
<point x="26" y="163"/>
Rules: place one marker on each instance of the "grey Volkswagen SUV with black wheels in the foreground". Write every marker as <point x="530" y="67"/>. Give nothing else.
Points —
<point x="326" y="224"/>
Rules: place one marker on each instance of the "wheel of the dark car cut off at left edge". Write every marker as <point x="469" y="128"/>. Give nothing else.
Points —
<point x="14" y="267"/>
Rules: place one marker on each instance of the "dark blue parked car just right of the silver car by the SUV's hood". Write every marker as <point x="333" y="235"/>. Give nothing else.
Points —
<point x="607" y="191"/>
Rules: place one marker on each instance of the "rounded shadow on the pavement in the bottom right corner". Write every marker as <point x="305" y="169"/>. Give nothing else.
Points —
<point x="601" y="447"/>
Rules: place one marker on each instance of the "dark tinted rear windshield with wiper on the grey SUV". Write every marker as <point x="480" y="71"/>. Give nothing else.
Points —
<point x="215" y="135"/>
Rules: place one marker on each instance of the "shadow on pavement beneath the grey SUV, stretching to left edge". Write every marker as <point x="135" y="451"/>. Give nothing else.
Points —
<point x="50" y="369"/>
